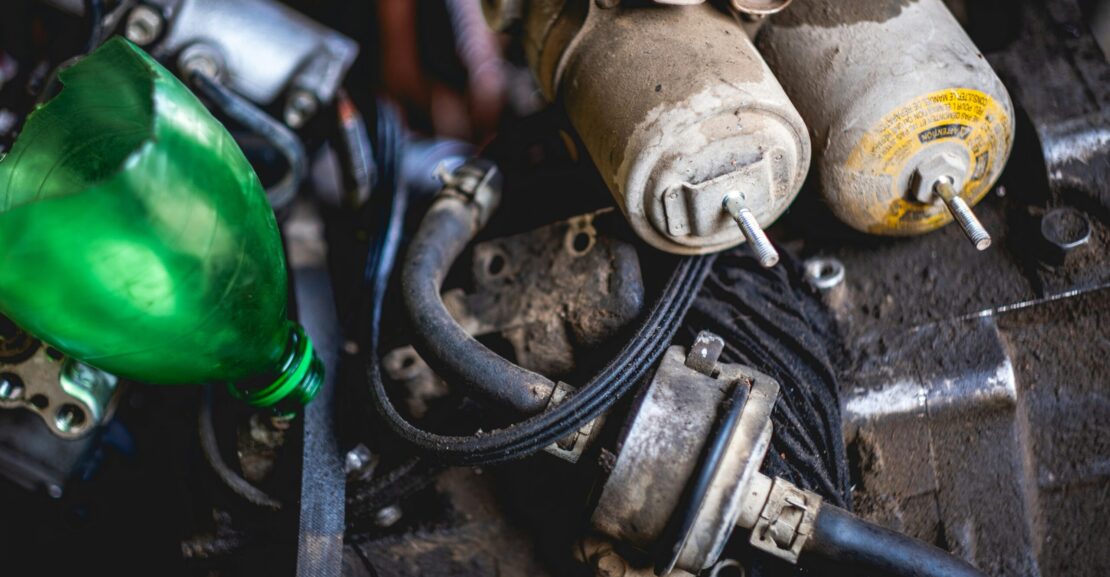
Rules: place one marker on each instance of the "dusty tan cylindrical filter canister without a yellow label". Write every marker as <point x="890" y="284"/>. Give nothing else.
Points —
<point x="677" y="109"/>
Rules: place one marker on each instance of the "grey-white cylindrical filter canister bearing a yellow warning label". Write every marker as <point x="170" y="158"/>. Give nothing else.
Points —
<point x="900" y="100"/>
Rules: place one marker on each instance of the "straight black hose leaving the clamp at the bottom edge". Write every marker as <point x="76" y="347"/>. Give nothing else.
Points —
<point x="863" y="546"/>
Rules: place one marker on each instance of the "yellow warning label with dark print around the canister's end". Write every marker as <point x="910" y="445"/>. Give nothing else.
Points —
<point x="970" y="118"/>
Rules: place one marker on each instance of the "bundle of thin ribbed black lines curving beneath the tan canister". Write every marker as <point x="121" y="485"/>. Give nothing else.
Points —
<point x="531" y="437"/>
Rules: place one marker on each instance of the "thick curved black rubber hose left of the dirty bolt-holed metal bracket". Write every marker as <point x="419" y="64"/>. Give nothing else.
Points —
<point x="447" y="347"/>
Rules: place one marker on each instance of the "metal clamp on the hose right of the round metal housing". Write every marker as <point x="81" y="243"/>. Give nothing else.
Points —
<point x="786" y="521"/>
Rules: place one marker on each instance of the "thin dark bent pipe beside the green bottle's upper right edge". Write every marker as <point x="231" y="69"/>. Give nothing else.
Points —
<point x="254" y="119"/>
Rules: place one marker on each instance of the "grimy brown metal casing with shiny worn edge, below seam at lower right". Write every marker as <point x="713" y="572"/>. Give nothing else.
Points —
<point x="990" y="436"/>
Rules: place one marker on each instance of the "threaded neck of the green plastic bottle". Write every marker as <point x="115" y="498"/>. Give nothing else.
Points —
<point x="299" y="379"/>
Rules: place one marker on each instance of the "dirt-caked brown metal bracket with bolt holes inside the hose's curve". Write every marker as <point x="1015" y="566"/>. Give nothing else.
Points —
<point x="553" y="292"/>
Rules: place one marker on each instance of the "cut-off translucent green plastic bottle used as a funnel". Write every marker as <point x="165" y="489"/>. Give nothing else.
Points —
<point x="136" y="238"/>
